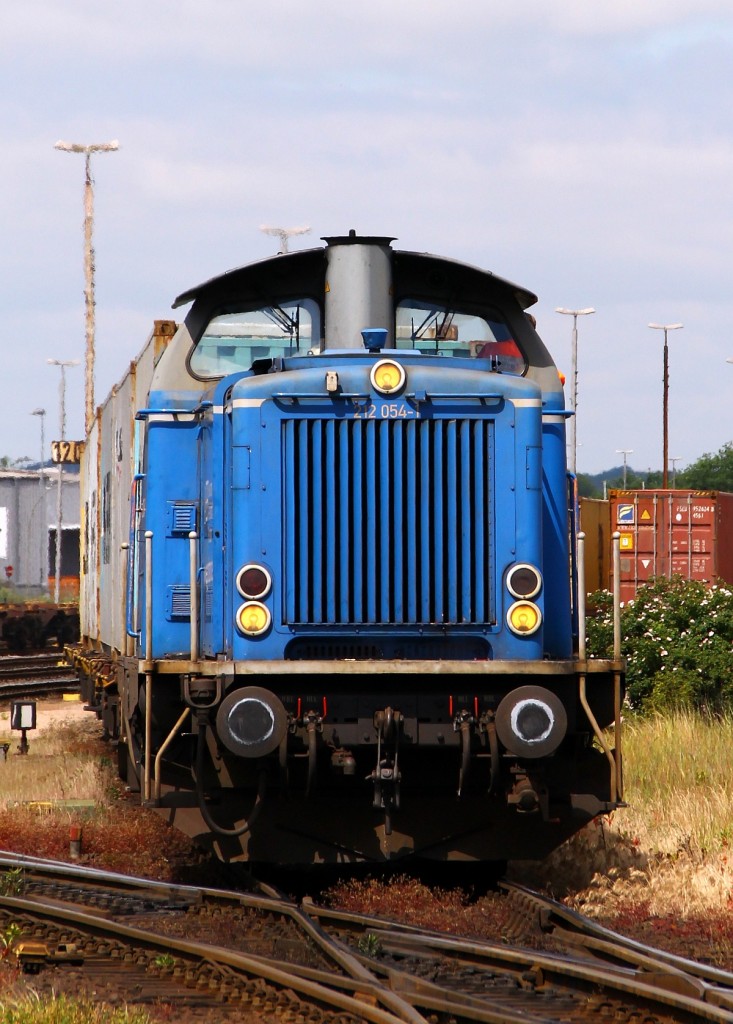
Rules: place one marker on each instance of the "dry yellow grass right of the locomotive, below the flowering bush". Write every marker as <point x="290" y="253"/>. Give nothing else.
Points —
<point x="666" y="856"/>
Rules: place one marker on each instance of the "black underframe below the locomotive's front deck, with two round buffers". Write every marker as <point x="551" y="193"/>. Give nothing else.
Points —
<point x="399" y="776"/>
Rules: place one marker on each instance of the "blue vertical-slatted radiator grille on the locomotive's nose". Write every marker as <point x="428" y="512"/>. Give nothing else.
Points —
<point x="387" y="522"/>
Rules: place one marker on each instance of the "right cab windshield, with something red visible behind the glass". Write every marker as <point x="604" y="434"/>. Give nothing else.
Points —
<point x="441" y="330"/>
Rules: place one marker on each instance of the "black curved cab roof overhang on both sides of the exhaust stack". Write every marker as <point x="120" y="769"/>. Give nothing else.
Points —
<point x="294" y="273"/>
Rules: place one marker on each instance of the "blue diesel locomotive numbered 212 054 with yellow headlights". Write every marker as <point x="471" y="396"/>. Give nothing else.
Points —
<point x="329" y="590"/>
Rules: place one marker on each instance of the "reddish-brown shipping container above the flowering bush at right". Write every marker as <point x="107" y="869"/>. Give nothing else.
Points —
<point x="673" y="533"/>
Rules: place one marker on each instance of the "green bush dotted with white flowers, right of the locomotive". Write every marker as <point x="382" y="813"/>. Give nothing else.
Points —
<point x="677" y="636"/>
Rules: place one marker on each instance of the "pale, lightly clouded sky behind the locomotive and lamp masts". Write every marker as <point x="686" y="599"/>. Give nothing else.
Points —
<point x="584" y="151"/>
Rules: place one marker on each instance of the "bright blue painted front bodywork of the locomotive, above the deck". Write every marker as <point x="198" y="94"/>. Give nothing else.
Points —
<point x="237" y="453"/>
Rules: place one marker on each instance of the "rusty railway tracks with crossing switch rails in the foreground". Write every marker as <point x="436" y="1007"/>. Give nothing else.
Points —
<point x="266" y="956"/>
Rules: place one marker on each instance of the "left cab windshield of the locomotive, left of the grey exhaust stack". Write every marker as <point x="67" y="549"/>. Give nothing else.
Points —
<point x="233" y="342"/>
